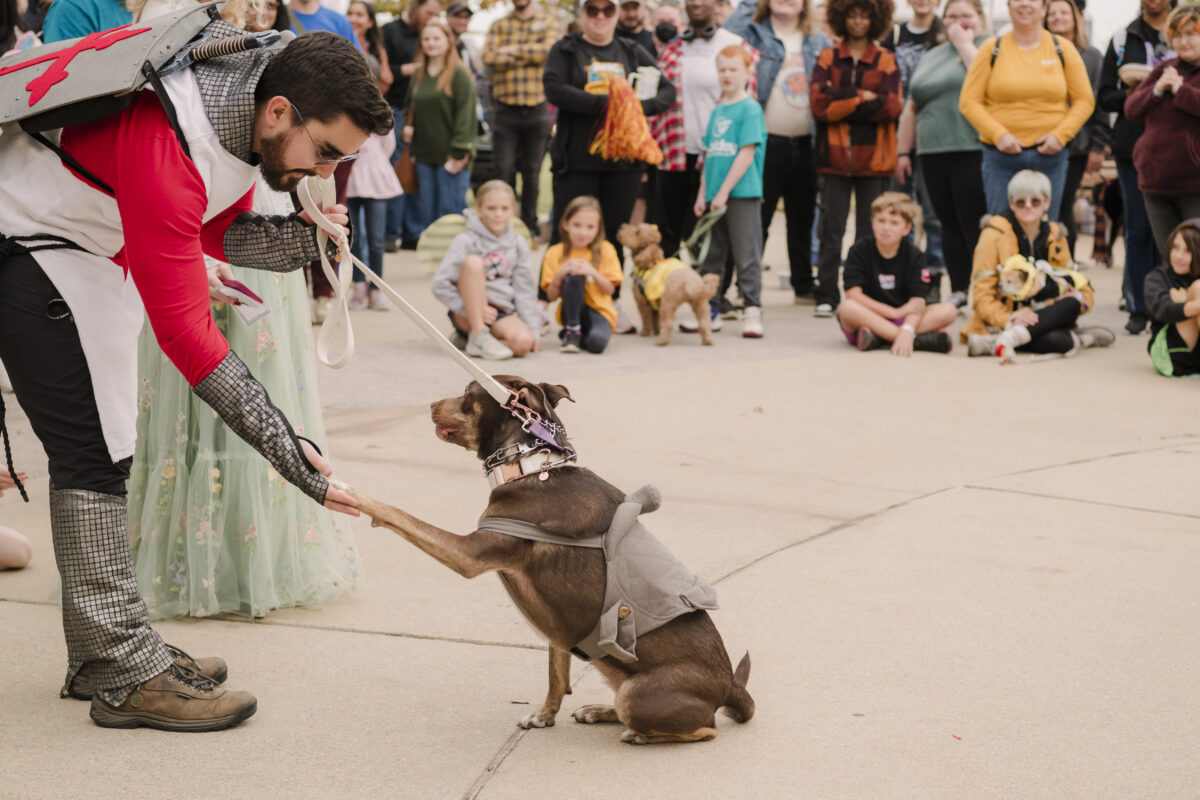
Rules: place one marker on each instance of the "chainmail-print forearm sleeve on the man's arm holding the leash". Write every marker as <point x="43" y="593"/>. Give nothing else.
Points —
<point x="274" y="244"/>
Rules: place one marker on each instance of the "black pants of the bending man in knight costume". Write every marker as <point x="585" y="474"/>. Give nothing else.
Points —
<point x="41" y="351"/>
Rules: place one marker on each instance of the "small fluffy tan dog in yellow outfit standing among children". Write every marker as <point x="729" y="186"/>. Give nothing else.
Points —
<point x="663" y="285"/>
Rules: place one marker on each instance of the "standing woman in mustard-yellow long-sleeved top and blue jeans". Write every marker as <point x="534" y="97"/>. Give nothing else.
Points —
<point x="1028" y="94"/>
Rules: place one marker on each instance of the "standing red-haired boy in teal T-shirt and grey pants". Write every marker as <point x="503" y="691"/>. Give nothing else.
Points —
<point x="735" y="149"/>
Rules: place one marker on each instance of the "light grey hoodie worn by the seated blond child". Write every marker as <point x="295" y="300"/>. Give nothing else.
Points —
<point x="508" y="263"/>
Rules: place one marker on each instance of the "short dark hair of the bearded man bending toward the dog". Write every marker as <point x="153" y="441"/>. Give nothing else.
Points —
<point x="325" y="76"/>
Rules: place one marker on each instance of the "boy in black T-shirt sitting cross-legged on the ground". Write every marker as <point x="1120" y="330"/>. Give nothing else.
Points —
<point x="887" y="282"/>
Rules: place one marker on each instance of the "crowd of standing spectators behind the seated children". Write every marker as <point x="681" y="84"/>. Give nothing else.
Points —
<point x="855" y="104"/>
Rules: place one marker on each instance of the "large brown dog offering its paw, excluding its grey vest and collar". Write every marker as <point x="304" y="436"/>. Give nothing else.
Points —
<point x="682" y="672"/>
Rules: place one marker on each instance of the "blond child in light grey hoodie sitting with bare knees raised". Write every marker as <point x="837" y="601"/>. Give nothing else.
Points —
<point x="488" y="284"/>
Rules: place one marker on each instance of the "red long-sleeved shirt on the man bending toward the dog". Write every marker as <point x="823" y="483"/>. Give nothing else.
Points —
<point x="161" y="200"/>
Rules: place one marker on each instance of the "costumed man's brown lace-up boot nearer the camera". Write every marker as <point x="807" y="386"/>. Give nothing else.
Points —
<point x="177" y="700"/>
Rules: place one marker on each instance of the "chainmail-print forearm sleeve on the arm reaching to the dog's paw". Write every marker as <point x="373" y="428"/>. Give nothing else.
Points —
<point x="243" y="404"/>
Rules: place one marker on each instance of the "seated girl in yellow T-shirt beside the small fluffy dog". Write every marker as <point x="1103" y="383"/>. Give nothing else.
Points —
<point x="584" y="270"/>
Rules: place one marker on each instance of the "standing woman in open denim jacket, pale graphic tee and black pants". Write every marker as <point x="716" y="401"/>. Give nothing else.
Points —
<point x="789" y="45"/>
